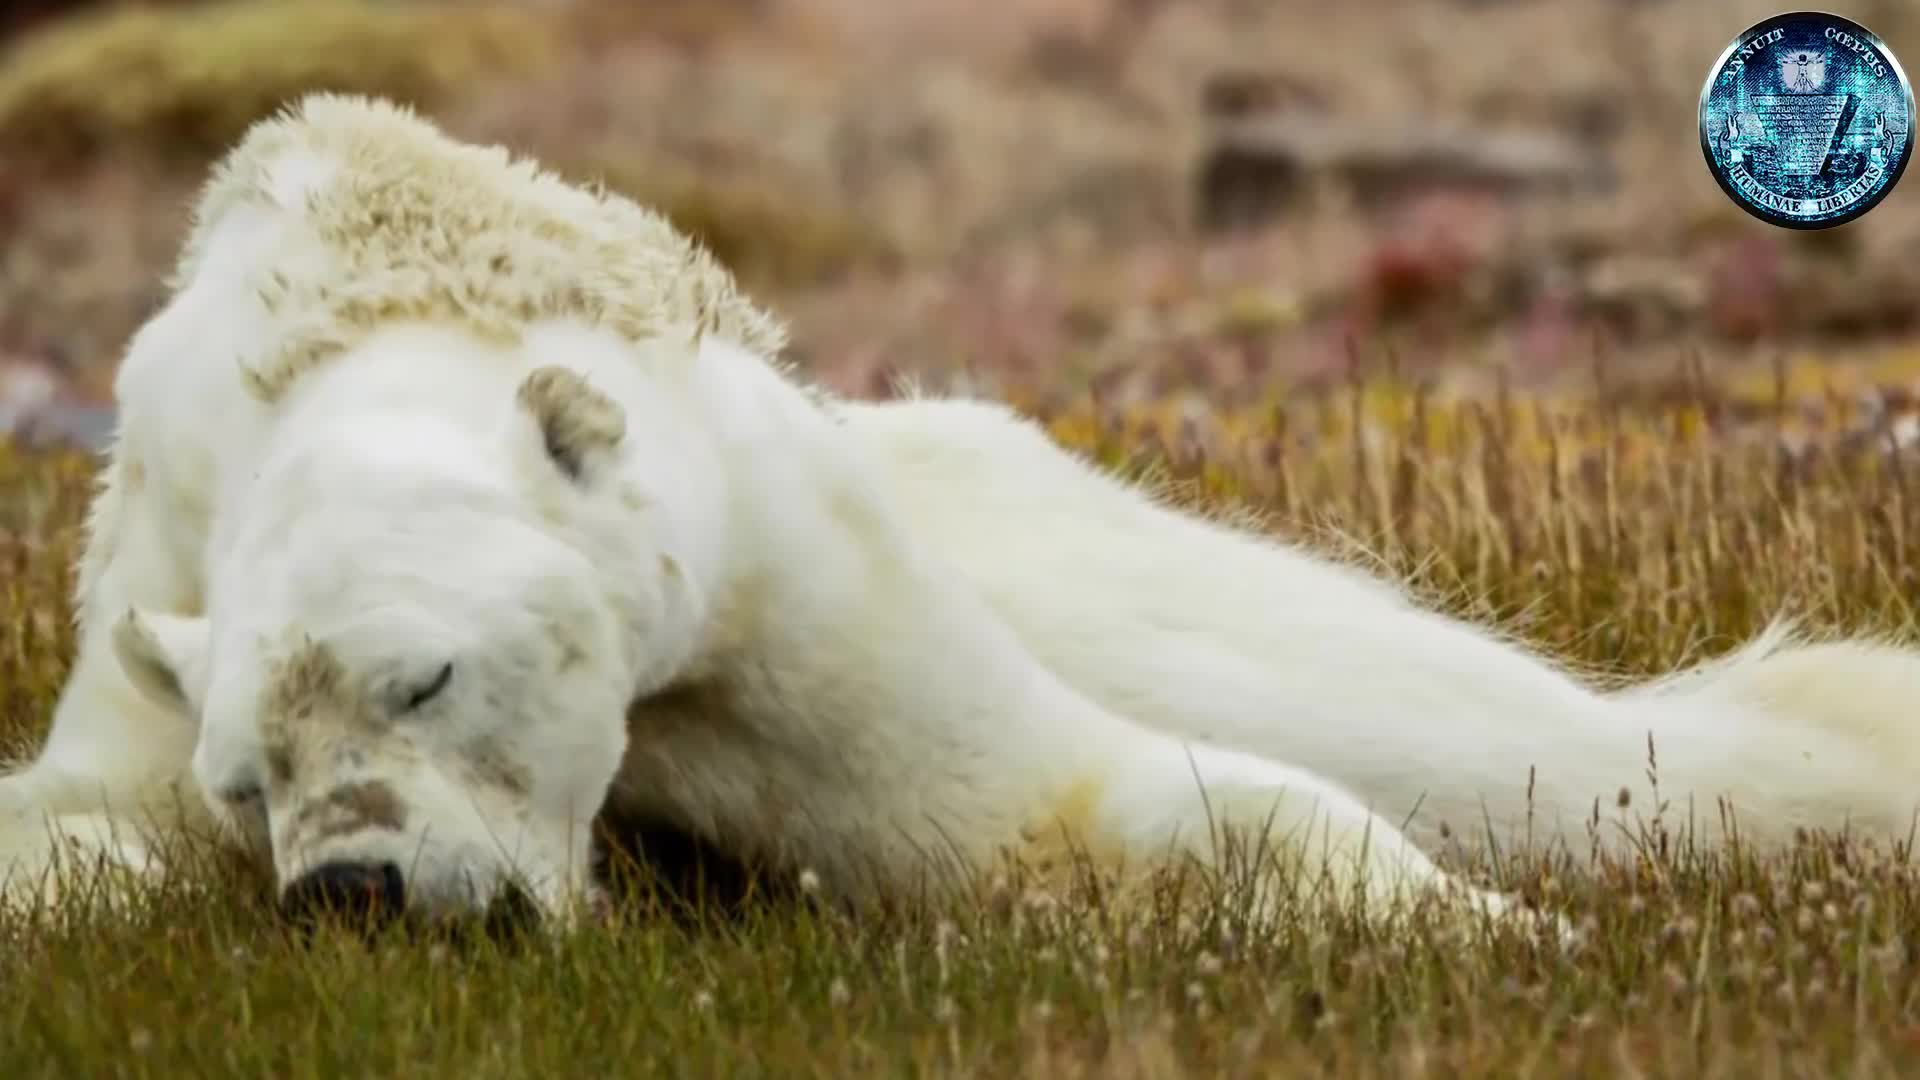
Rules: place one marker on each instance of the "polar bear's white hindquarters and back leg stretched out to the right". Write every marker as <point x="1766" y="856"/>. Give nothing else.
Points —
<point x="1216" y="635"/>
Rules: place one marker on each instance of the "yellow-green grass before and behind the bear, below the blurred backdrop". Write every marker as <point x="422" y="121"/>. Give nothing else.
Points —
<point x="1625" y="535"/>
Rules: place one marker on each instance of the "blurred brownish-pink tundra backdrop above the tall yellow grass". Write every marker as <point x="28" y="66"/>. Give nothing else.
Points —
<point x="1207" y="203"/>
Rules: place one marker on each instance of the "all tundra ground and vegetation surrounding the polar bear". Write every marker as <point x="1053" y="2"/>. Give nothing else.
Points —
<point x="1627" y="430"/>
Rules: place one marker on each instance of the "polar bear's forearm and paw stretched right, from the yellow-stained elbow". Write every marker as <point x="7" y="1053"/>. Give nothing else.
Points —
<point x="1166" y="798"/>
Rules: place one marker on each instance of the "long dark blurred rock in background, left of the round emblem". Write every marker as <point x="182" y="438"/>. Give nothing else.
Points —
<point x="1260" y="166"/>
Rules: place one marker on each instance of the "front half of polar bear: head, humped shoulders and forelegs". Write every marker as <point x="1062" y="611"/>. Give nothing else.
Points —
<point x="452" y="503"/>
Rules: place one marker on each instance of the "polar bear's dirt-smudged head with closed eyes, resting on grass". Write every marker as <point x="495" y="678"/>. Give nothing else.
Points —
<point x="420" y="650"/>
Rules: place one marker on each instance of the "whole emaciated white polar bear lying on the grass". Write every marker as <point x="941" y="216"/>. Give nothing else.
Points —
<point x="452" y="503"/>
